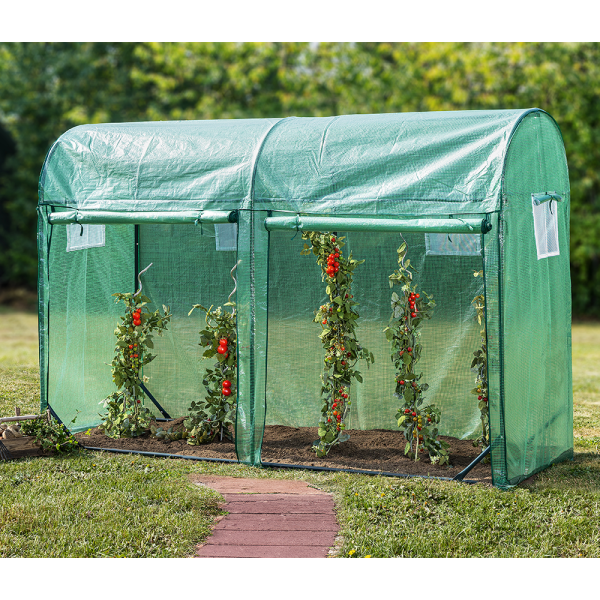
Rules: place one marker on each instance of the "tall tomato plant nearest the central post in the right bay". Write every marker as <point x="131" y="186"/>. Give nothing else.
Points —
<point x="338" y="319"/>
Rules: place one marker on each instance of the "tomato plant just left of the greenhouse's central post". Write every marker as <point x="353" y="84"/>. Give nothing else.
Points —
<point x="214" y="415"/>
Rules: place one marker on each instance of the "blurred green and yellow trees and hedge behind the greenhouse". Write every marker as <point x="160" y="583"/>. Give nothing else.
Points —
<point x="49" y="87"/>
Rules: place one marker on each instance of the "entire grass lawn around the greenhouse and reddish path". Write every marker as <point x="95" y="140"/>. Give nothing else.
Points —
<point x="101" y="505"/>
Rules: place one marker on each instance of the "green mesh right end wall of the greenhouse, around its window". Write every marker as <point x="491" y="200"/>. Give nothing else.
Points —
<point x="537" y="376"/>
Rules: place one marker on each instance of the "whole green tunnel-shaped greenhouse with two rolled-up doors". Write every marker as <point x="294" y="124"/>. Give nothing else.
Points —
<point x="481" y="201"/>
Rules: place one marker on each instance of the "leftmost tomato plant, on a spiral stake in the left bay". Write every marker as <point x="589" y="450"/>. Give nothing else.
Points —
<point x="127" y="417"/>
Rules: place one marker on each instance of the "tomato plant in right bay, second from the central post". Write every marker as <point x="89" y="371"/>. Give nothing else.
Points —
<point x="418" y="421"/>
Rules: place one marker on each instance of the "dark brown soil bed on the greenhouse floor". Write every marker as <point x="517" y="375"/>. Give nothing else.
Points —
<point x="380" y="451"/>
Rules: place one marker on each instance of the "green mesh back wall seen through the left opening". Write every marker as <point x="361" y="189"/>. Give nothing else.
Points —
<point x="187" y="270"/>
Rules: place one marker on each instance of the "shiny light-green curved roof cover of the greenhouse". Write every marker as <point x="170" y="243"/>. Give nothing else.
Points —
<point x="370" y="164"/>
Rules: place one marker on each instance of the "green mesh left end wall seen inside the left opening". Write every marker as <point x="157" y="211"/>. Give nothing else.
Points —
<point x="82" y="320"/>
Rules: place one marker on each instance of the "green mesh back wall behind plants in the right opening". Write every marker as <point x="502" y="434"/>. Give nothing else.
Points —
<point x="449" y="340"/>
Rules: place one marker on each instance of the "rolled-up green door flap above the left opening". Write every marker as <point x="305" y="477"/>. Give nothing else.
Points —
<point x="82" y="217"/>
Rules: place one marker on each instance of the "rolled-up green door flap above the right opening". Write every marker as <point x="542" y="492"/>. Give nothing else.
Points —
<point x="325" y="224"/>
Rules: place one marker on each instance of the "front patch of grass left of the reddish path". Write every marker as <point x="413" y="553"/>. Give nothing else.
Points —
<point x="100" y="506"/>
